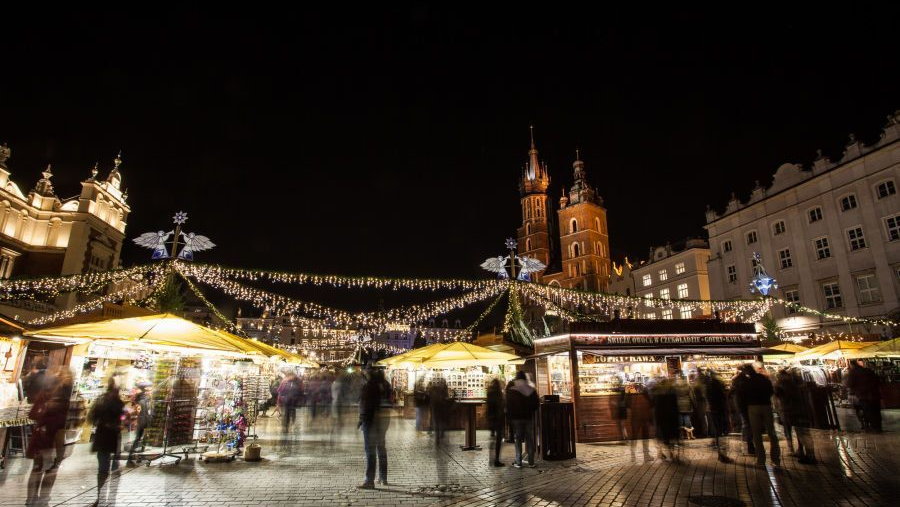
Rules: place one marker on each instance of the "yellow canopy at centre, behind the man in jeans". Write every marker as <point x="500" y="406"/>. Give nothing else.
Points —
<point x="452" y="355"/>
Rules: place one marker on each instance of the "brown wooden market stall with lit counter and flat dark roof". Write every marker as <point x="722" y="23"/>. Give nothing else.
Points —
<point x="595" y="364"/>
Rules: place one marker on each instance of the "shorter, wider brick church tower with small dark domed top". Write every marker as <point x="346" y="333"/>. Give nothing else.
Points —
<point x="584" y="238"/>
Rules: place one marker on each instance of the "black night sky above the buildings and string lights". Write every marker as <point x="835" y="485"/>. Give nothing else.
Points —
<point x="390" y="142"/>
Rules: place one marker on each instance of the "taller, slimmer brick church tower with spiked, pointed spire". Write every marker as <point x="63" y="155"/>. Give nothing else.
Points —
<point x="533" y="235"/>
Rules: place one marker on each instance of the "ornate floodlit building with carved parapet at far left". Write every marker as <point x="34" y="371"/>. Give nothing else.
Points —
<point x="43" y="235"/>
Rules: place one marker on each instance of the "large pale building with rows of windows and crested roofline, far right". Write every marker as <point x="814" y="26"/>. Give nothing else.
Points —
<point x="830" y="235"/>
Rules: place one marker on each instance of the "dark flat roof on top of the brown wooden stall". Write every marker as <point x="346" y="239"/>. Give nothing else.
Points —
<point x="662" y="326"/>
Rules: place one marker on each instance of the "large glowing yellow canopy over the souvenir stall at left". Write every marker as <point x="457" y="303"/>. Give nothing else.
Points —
<point x="163" y="330"/>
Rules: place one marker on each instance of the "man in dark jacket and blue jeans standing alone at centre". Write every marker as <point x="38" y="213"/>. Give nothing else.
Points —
<point x="374" y="418"/>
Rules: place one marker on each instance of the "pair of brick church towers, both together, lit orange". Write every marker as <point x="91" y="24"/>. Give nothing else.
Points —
<point x="579" y="256"/>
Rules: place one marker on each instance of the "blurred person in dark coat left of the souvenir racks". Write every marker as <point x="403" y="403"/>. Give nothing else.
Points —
<point x="106" y="415"/>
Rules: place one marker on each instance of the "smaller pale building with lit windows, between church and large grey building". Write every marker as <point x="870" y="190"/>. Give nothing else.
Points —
<point x="674" y="272"/>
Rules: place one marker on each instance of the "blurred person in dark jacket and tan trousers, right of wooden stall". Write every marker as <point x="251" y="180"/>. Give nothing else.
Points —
<point x="756" y="392"/>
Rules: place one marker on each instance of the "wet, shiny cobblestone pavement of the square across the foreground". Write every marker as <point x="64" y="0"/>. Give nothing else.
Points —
<point x="317" y="468"/>
